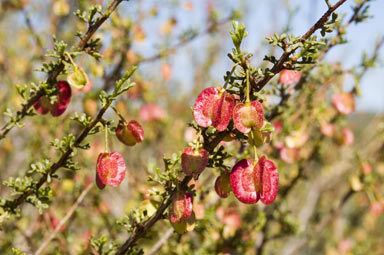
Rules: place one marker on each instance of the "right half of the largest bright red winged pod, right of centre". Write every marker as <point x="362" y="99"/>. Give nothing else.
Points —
<point x="266" y="178"/>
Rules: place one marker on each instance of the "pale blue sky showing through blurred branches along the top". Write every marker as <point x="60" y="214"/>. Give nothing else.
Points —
<point x="258" y="21"/>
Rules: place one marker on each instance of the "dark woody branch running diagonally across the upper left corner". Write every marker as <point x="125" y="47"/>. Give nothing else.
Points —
<point x="82" y="45"/>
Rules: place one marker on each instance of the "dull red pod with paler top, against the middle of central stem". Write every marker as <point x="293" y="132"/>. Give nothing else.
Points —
<point x="194" y="162"/>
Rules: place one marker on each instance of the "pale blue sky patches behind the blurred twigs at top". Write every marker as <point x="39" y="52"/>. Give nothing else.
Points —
<point x="259" y="22"/>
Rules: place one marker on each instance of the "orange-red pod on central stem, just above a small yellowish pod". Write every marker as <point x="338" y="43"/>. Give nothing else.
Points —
<point x="181" y="207"/>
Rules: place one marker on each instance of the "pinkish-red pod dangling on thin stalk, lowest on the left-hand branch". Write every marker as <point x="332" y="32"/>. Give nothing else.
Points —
<point x="110" y="169"/>
